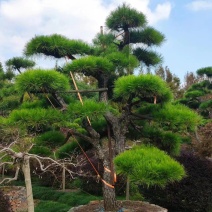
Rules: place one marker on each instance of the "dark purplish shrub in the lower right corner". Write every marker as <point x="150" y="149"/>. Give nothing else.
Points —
<point x="192" y="194"/>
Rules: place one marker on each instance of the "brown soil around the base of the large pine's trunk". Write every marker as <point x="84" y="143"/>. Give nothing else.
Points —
<point x="125" y="206"/>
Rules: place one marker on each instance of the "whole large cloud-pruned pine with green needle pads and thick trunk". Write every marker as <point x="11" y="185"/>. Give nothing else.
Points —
<point x="130" y="107"/>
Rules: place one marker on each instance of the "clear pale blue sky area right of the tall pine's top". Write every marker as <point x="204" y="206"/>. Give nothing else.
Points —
<point x="188" y="33"/>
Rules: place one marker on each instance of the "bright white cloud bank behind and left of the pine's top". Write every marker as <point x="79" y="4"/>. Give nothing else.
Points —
<point x="20" y="20"/>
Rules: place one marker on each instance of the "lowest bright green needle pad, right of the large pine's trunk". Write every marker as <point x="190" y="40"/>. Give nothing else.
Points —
<point x="148" y="165"/>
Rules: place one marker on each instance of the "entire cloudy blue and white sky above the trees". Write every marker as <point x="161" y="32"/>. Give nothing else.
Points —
<point x="185" y="23"/>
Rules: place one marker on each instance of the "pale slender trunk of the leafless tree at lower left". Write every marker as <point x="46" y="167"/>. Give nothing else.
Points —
<point x="28" y="183"/>
